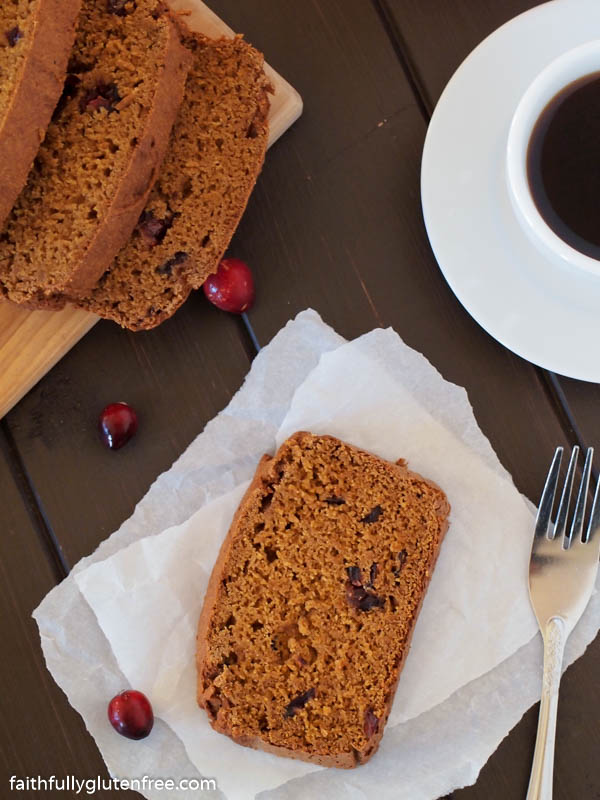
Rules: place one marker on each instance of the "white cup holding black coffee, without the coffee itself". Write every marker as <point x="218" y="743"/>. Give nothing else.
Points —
<point x="561" y="72"/>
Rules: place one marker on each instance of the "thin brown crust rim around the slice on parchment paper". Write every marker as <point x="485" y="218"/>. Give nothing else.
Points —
<point x="264" y="474"/>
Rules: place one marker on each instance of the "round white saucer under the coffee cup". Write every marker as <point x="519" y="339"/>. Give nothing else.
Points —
<point x="536" y="308"/>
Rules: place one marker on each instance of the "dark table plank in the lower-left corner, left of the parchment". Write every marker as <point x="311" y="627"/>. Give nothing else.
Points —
<point x="40" y="734"/>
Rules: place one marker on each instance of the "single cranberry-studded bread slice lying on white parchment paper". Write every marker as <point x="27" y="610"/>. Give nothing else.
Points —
<point x="312" y="602"/>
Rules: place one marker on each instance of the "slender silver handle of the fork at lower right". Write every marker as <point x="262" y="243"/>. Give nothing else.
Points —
<point x="540" y="782"/>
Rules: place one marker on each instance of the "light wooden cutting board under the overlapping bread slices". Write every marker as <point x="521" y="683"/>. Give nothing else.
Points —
<point x="31" y="342"/>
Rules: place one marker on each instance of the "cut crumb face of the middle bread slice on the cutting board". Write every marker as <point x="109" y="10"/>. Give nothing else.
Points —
<point x="108" y="94"/>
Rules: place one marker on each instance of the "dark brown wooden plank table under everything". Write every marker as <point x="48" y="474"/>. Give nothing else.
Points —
<point x="335" y="223"/>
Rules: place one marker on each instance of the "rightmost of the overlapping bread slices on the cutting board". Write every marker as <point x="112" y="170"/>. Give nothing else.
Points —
<point x="216" y="151"/>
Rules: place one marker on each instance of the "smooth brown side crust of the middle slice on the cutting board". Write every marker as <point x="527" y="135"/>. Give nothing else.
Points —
<point x="138" y="180"/>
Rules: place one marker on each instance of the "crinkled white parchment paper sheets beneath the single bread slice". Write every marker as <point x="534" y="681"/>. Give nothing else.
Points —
<point x="423" y="757"/>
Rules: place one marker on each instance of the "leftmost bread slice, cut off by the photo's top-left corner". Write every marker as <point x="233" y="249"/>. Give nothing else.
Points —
<point x="35" y="40"/>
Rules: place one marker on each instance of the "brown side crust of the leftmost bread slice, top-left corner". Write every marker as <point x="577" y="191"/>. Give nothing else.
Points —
<point x="36" y="94"/>
